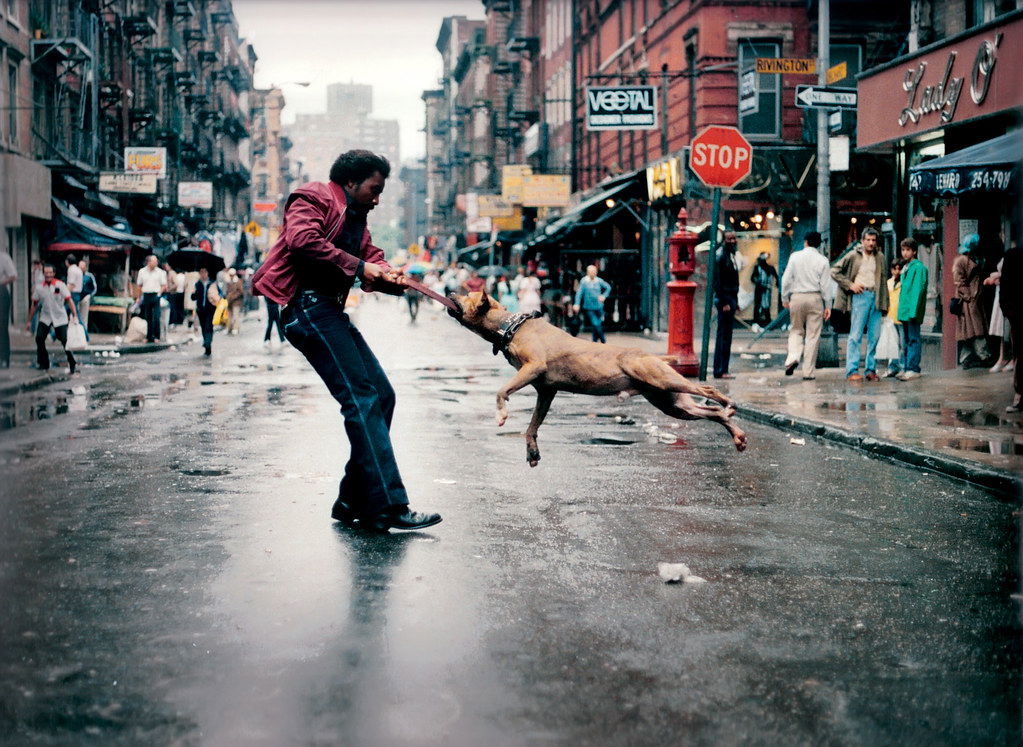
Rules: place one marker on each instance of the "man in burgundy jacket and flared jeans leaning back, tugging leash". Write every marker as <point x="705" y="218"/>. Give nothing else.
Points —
<point x="324" y="247"/>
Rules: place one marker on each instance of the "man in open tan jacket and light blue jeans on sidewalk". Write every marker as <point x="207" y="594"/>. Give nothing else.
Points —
<point x="863" y="292"/>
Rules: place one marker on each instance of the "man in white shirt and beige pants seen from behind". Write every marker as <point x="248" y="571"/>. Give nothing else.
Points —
<point x="808" y="291"/>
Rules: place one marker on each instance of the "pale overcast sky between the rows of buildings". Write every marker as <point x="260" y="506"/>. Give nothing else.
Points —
<point x="388" y="45"/>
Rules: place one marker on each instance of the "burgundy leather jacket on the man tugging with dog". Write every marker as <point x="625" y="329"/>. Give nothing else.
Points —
<point x="315" y="215"/>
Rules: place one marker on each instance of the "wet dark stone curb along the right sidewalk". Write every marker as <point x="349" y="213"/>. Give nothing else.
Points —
<point x="1007" y="485"/>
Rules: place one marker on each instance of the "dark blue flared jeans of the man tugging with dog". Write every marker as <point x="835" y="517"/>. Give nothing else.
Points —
<point x="320" y="328"/>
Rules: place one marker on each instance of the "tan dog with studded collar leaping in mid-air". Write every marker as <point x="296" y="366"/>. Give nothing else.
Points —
<point x="555" y="362"/>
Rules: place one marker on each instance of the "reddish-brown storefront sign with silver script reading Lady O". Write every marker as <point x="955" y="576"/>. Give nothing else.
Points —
<point x="972" y="76"/>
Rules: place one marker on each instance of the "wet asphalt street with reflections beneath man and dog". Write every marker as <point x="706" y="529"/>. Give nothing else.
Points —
<point x="170" y="575"/>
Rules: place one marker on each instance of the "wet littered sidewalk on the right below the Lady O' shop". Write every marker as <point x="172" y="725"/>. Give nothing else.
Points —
<point x="949" y="422"/>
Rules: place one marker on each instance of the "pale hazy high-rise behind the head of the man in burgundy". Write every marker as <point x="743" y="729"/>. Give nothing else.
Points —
<point x="347" y="124"/>
